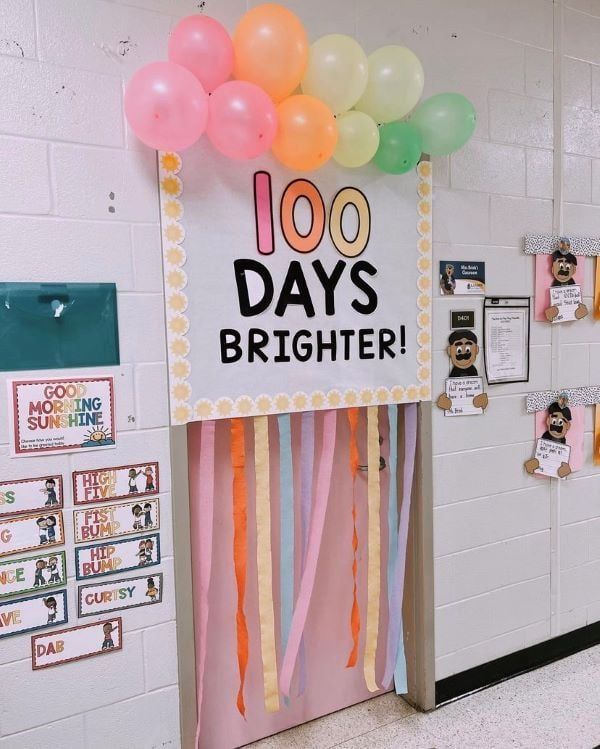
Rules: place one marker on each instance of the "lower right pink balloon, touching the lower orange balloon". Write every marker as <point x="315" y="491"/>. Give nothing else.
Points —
<point x="242" y="120"/>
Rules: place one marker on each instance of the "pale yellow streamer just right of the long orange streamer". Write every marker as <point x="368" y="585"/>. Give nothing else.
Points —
<point x="264" y="563"/>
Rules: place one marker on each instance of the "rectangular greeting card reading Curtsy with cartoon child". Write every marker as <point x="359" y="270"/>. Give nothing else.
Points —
<point x="127" y="593"/>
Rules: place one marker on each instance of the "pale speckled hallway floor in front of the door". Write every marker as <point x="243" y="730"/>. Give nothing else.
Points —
<point x="555" y="707"/>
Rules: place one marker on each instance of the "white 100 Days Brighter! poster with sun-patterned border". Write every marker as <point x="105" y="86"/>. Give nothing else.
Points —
<point x="319" y="296"/>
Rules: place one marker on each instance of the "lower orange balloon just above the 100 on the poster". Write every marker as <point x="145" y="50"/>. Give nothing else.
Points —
<point x="307" y="135"/>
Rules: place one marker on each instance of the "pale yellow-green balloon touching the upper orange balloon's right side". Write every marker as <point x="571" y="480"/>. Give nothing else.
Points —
<point x="337" y="72"/>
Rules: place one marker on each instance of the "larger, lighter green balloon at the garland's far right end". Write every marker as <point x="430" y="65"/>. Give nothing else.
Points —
<point x="446" y="122"/>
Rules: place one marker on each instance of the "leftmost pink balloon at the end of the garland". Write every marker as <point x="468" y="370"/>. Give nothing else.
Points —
<point x="166" y="106"/>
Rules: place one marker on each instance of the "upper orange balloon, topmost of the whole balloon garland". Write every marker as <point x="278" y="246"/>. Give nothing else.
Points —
<point x="271" y="49"/>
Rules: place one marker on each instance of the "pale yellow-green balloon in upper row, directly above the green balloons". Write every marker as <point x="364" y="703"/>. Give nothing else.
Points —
<point x="396" y="80"/>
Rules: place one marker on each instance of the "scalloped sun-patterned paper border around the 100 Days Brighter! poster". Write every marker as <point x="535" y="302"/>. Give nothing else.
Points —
<point x="178" y="324"/>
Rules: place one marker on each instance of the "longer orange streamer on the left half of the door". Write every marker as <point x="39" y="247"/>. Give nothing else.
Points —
<point x="240" y="548"/>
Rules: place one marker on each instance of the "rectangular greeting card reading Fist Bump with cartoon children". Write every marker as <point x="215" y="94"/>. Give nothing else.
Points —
<point x="111" y="521"/>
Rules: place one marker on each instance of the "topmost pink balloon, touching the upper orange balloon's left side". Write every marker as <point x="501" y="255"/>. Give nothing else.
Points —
<point x="203" y="46"/>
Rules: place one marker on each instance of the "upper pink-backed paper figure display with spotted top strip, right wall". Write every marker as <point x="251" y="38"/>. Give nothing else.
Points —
<point x="559" y="275"/>
